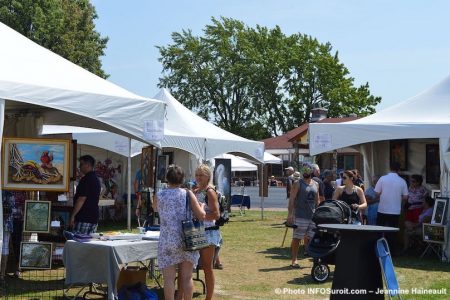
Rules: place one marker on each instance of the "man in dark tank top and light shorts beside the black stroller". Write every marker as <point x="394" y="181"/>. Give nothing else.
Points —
<point x="303" y="200"/>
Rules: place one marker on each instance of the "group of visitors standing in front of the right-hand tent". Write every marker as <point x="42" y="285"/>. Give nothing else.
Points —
<point x="381" y="203"/>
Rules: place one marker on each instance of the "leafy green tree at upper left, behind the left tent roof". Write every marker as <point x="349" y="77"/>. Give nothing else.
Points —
<point x="65" y="27"/>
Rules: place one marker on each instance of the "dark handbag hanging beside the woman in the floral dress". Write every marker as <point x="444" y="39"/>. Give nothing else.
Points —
<point x="193" y="230"/>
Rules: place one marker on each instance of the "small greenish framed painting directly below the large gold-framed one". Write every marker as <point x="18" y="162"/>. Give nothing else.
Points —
<point x="37" y="216"/>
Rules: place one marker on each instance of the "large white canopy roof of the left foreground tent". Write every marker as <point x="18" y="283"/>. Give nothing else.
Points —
<point x="46" y="88"/>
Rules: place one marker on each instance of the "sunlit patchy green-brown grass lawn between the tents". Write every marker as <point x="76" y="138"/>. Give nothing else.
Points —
<point x="257" y="267"/>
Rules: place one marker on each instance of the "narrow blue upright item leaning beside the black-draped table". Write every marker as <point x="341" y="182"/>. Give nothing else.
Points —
<point x="387" y="268"/>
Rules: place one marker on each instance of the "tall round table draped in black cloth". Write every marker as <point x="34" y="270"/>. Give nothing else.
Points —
<point x="357" y="274"/>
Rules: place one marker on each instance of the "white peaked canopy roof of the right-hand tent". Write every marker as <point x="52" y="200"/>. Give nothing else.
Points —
<point x="423" y="116"/>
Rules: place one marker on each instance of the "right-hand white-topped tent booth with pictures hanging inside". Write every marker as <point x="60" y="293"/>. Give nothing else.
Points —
<point x="414" y="133"/>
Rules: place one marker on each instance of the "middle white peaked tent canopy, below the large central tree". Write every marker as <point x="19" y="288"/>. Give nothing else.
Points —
<point x="185" y="130"/>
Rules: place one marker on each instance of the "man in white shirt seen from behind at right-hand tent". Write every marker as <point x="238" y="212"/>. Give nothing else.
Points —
<point x="392" y="190"/>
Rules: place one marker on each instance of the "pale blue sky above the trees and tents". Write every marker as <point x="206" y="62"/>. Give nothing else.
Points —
<point x="400" y="47"/>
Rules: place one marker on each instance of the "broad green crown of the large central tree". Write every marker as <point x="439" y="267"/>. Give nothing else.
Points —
<point x="258" y="82"/>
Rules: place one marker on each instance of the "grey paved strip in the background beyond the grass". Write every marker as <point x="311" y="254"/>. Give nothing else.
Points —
<point x="276" y="200"/>
